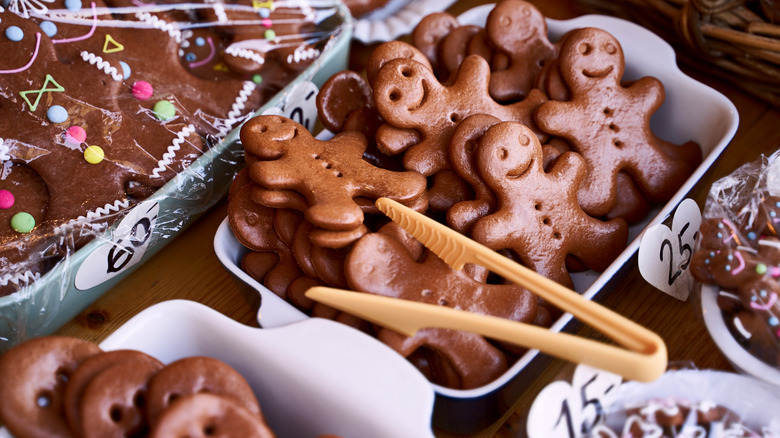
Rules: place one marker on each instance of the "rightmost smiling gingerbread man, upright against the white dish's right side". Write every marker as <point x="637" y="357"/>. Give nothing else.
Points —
<point x="609" y="124"/>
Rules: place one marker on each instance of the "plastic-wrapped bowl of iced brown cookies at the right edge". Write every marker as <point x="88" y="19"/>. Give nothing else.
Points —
<point x="737" y="263"/>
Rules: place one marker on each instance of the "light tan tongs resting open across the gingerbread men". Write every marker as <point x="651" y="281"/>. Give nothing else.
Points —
<point x="644" y="357"/>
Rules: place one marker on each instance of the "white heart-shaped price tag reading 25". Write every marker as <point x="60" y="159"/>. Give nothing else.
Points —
<point x="665" y="254"/>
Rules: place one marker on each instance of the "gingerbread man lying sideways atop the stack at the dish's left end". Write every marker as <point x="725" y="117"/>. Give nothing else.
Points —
<point x="329" y="174"/>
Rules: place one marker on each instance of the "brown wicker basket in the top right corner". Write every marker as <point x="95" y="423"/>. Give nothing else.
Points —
<point x="740" y="38"/>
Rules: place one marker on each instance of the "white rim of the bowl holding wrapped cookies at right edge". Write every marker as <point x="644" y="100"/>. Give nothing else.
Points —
<point x="740" y="358"/>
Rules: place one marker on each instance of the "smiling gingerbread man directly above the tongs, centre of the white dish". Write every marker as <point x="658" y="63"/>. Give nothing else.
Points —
<point x="540" y="208"/>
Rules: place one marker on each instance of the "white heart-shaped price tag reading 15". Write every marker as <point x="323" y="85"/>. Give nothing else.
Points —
<point x="570" y="410"/>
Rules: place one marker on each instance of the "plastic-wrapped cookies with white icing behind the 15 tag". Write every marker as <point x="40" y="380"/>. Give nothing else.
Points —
<point x="690" y="403"/>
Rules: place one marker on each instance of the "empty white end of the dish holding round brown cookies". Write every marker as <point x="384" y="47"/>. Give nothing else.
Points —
<point x="313" y="377"/>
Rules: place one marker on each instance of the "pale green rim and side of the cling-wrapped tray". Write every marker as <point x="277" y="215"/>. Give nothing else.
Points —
<point x="48" y="303"/>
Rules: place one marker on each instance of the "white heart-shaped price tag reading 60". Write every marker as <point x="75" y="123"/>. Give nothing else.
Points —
<point x="127" y="246"/>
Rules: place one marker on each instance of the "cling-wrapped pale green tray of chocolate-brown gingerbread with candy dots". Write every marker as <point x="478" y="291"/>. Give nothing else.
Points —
<point x="117" y="128"/>
